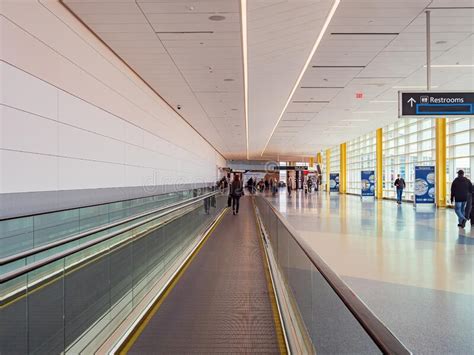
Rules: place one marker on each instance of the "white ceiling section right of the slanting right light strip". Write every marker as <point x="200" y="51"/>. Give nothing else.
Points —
<point x="350" y="61"/>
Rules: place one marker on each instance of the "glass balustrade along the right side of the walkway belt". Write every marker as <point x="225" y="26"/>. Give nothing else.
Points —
<point x="330" y="324"/>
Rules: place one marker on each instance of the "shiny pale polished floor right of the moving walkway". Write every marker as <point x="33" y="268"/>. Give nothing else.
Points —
<point x="412" y="267"/>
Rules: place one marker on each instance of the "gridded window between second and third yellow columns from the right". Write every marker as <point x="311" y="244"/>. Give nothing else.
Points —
<point x="360" y="156"/>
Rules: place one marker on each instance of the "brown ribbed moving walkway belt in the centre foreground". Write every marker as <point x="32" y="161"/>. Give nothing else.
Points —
<point x="221" y="302"/>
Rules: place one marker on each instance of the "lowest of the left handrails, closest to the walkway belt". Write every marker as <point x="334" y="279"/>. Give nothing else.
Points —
<point x="35" y="265"/>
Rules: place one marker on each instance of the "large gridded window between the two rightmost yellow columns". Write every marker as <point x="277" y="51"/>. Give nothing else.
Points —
<point x="406" y="143"/>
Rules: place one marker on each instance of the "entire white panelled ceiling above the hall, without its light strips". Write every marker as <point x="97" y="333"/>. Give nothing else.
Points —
<point x="371" y="47"/>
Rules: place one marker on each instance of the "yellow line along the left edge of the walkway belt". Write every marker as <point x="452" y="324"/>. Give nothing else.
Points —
<point x="128" y="343"/>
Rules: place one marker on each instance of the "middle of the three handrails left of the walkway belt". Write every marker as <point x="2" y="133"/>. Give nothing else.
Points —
<point x="33" y="251"/>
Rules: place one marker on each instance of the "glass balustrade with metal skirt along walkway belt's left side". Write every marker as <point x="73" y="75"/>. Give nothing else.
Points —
<point x="74" y="303"/>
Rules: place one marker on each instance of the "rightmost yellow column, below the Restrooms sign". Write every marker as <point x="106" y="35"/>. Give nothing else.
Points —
<point x="440" y="168"/>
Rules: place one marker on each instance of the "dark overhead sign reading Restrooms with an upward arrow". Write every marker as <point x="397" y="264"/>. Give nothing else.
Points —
<point x="433" y="103"/>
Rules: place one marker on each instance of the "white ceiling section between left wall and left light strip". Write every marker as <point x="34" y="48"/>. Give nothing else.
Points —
<point x="188" y="58"/>
